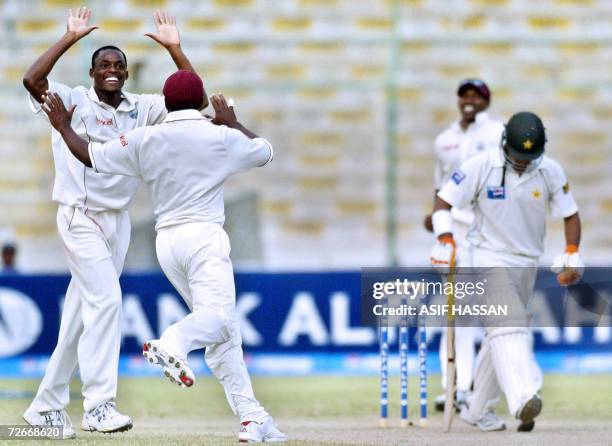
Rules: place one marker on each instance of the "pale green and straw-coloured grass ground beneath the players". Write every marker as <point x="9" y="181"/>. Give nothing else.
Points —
<point x="328" y="410"/>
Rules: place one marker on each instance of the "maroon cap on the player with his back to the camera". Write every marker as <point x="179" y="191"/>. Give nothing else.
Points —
<point x="183" y="89"/>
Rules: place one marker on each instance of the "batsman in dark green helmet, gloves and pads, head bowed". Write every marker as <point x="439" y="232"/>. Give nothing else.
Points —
<point x="510" y="190"/>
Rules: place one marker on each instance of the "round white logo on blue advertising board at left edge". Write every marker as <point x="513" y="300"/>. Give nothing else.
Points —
<point x="20" y="322"/>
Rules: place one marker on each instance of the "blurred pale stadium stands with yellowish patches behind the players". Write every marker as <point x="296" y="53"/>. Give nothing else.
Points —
<point x="311" y="75"/>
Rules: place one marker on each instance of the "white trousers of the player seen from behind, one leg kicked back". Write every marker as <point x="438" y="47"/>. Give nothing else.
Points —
<point x="195" y="258"/>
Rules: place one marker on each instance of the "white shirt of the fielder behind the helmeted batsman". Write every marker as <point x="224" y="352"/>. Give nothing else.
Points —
<point x="454" y="146"/>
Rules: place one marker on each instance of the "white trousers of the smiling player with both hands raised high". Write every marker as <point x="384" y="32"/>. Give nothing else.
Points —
<point x="95" y="244"/>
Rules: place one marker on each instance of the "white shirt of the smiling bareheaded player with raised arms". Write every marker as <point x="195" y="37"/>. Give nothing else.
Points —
<point x="95" y="121"/>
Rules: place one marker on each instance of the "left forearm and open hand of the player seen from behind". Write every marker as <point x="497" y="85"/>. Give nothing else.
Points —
<point x="60" y="119"/>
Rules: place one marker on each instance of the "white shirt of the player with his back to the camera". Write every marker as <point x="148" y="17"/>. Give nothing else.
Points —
<point x="184" y="162"/>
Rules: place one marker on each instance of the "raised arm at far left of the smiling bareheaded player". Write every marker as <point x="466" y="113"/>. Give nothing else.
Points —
<point x="35" y="79"/>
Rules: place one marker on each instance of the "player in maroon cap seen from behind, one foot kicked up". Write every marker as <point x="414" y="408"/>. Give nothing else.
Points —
<point x="184" y="162"/>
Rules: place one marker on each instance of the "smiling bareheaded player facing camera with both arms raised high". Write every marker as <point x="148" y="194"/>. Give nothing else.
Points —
<point x="93" y="224"/>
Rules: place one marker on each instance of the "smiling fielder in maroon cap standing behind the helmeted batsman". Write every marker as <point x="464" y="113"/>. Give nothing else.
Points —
<point x="474" y="133"/>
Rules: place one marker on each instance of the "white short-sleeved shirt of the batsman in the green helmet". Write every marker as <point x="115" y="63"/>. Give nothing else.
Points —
<point x="509" y="219"/>
